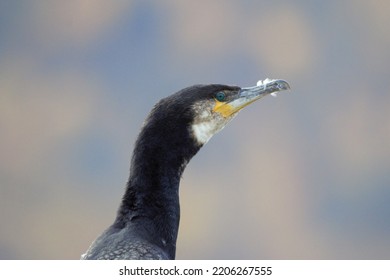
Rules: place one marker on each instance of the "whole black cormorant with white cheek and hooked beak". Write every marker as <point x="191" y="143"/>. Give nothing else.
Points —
<point x="147" y="221"/>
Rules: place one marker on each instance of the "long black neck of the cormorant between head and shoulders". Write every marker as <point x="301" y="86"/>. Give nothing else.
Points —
<point x="151" y="200"/>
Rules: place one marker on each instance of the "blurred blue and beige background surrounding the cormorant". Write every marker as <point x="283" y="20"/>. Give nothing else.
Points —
<point x="302" y="176"/>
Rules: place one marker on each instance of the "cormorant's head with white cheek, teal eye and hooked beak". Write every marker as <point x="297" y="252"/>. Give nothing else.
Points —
<point x="198" y="112"/>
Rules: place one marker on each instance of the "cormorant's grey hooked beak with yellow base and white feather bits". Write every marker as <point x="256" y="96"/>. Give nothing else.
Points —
<point x="249" y="95"/>
